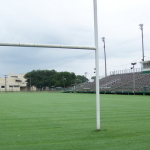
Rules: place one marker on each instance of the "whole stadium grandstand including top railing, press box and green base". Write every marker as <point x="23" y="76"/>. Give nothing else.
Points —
<point x="133" y="81"/>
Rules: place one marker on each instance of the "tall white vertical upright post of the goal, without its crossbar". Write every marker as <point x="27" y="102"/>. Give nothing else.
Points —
<point x="97" y="66"/>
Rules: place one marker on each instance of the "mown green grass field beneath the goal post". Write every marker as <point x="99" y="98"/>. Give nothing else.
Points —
<point x="58" y="121"/>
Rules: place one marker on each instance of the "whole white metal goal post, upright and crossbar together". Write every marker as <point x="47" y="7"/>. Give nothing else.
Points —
<point x="95" y="48"/>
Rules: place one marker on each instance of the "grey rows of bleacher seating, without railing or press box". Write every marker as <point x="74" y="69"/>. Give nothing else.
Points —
<point x="120" y="82"/>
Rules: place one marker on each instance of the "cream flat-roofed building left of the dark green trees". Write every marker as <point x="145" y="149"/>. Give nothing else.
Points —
<point x="14" y="82"/>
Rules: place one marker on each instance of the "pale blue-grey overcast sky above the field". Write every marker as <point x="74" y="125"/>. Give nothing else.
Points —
<point x="70" y="22"/>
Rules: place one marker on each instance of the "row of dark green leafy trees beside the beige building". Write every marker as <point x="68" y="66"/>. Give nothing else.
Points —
<point x="52" y="78"/>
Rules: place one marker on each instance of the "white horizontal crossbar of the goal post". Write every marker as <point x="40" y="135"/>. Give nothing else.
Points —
<point x="47" y="46"/>
